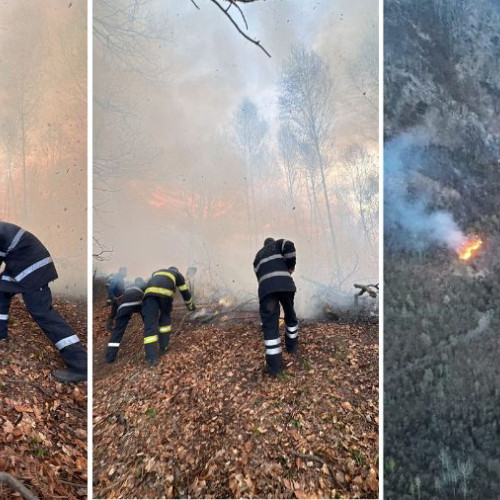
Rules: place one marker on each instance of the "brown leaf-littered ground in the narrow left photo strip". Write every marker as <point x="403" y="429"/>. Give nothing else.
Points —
<point x="42" y="422"/>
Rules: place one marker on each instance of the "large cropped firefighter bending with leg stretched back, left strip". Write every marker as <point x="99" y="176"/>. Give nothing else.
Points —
<point x="28" y="270"/>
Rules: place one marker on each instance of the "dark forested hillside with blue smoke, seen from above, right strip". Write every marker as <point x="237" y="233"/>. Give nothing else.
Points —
<point x="442" y="97"/>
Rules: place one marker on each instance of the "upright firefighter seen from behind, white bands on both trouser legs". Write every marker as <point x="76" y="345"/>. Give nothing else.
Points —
<point x="273" y="266"/>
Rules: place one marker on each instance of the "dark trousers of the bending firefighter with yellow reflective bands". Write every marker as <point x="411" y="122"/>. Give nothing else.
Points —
<point x="157" y="325"/>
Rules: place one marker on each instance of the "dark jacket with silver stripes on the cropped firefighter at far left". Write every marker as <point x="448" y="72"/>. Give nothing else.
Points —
<point x="28" y="264"/>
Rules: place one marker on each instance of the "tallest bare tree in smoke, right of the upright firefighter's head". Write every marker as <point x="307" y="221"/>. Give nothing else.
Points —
<point x="305" y="101"/>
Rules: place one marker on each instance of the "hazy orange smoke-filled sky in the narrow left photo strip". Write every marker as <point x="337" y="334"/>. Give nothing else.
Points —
<point x="43" y="91"/>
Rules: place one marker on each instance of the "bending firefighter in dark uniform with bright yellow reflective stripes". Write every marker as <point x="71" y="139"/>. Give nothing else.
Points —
<point x="156" y="309"/>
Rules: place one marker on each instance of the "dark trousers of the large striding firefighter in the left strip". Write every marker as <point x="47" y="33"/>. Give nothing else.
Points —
<point x="39" y="305"/>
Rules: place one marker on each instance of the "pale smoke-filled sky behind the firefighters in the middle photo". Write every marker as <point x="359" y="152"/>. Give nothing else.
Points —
<point x="173" y="185"/>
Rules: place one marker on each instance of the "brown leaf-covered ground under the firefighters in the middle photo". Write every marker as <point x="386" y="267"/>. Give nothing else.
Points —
<point x="206" y="423"/>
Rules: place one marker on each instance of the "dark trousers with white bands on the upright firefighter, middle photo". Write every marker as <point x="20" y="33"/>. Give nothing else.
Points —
<point x="270" y="315"/>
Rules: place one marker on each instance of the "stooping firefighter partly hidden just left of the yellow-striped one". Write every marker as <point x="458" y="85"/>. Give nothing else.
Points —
<point x="130" y="303"/>
